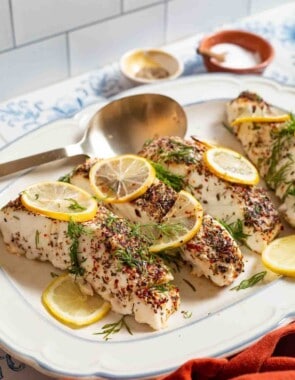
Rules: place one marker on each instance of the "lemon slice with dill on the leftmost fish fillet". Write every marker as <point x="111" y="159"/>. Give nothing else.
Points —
<point x="59" y="200"/>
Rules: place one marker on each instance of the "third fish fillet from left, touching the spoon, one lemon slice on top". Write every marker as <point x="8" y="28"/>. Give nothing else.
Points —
<point x="247" y="209"/>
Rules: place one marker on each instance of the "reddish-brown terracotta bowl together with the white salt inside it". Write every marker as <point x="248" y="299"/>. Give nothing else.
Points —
<point x="244" y="52"/>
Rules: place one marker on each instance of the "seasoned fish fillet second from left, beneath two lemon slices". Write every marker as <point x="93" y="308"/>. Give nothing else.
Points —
<point x="212" y="252"/>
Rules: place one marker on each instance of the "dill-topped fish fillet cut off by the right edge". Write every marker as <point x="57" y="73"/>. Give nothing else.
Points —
<point x="269" y="145"/>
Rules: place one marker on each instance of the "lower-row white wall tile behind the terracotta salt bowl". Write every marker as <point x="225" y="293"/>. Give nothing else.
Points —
<point x="190" y="16"/>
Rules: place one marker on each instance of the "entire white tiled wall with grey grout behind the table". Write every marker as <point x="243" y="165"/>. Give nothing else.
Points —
<point x="43" y="41"/>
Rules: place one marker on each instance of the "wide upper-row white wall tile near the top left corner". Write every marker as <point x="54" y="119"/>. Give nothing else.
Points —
<point x="34" y="19"/>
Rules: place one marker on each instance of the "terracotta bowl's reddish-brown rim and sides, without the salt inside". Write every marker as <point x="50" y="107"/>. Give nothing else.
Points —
<point x="249" y="41"/>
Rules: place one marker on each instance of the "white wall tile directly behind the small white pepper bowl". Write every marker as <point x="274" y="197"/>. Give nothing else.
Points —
<point x="102" y="43"/>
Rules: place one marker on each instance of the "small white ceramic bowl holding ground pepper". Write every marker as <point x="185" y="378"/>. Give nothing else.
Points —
<point x="150" y="65"/>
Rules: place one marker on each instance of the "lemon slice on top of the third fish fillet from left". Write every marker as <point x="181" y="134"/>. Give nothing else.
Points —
<point x="231" y="166"/>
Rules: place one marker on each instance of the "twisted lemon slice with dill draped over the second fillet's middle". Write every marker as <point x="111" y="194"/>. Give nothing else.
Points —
<point x="180" y="224"/>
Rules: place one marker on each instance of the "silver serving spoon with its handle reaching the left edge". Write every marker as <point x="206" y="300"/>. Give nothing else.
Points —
<point x="121" y="126"/>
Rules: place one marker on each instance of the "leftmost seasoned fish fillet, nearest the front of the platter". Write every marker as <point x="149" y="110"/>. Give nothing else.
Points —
<point x="112" y="261"/>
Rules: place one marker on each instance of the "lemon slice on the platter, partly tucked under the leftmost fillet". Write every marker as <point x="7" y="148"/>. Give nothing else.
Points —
<point x="65" y="301"/>
